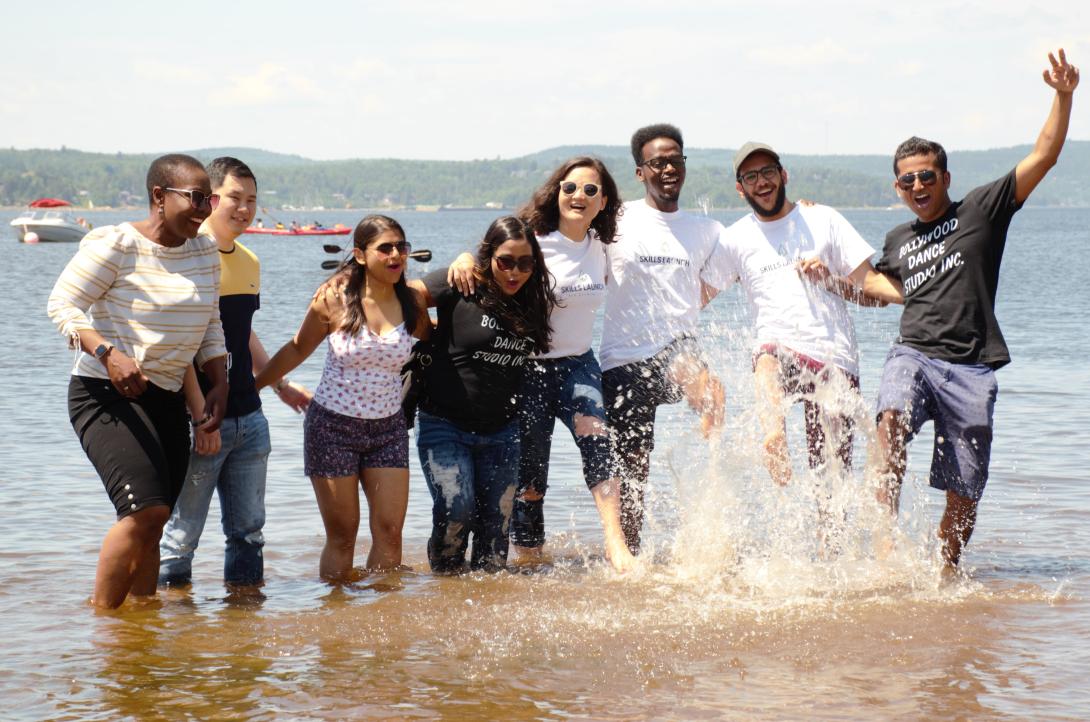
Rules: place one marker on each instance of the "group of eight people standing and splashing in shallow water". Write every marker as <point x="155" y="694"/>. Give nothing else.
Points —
<point x="162" y="314"/>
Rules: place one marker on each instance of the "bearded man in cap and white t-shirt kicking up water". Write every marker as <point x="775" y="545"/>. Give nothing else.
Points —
<point x="806" y="342"/>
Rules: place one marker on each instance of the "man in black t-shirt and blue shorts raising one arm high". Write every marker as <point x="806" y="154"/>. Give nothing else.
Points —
<point x="942" y="368"/>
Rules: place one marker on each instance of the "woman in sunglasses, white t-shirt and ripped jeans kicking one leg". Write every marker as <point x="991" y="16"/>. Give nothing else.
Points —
<point x="575" y="215"/>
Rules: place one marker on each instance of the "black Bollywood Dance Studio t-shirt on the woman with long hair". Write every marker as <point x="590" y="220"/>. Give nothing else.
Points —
<point x="477" y="365"/>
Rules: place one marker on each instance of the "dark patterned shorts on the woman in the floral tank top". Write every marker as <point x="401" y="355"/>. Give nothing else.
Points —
<point x="336" y="446"/>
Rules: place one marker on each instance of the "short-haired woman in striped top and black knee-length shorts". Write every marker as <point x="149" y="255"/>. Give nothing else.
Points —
<point x="153" y="293"/>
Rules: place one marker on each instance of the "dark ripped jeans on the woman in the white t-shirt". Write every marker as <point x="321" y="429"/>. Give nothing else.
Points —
<point x="570" y="390"/>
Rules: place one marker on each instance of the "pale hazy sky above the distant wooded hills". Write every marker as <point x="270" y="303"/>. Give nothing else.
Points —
<point x="433" y="80"/>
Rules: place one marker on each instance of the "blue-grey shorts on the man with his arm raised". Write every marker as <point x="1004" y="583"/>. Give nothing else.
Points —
<point x="960" y="399"/>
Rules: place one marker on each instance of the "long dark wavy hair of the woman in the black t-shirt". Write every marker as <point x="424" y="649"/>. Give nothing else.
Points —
<point x="527" y="312"/>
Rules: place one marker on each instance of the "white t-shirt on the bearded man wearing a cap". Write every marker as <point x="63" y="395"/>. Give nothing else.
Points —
<point x="785" y="308"/>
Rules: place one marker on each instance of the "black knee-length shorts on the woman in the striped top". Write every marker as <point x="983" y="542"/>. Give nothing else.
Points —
<point x="140" y="448"/>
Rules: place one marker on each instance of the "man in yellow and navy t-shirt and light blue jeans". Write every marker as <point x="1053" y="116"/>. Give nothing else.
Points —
<point x="232" y="460"/>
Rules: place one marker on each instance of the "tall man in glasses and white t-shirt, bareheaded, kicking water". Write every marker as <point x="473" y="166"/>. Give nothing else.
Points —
<point x="650" y="355"/>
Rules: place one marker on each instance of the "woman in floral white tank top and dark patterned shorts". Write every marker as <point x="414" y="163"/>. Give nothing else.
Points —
<point x="356" y="431"/>
